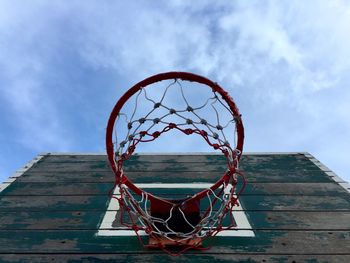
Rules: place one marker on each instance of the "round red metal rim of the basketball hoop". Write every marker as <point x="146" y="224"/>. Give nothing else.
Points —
<point x="166" y="76"/>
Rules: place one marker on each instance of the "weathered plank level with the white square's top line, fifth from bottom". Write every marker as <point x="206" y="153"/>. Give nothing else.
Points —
<point x="62" y="188"/>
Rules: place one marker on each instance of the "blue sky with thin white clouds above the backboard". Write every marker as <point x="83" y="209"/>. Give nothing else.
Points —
<point x="64" y="64"/>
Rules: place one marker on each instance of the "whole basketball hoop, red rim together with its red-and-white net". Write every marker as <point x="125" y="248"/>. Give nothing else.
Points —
<point x="176" y="223"/>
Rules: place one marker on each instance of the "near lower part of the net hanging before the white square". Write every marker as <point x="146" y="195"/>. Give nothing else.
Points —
<point x="177" y="224"/>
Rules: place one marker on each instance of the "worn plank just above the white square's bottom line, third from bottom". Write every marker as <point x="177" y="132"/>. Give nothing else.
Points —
<point x="260" y="220"/>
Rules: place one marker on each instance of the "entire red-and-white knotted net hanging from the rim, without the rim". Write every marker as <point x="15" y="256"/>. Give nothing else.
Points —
<point x="146" y="117"/>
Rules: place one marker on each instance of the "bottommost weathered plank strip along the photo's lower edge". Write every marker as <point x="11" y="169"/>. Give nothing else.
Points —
<point x="164" y="258"/>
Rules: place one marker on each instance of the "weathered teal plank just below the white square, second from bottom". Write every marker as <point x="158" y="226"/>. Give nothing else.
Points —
<point x="265" y="241"/>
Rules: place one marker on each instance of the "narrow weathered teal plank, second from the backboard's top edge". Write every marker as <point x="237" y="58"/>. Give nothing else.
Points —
<point x="247" y="164"/>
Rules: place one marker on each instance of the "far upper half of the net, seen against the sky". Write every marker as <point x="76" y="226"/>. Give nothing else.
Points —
<point x="150" y="117"/>
